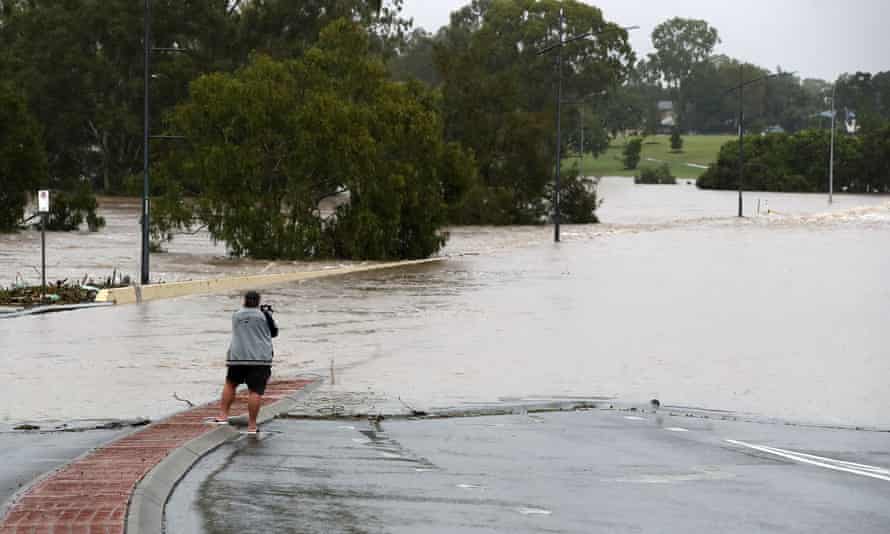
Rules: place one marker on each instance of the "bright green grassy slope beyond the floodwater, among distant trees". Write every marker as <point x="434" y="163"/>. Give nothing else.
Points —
<point x="698" y="149"/>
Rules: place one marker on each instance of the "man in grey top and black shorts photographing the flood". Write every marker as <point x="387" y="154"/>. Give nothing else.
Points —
<point x="249" y="359"/>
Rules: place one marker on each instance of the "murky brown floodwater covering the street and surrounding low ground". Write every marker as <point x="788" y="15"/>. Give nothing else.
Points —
<point x="672" y="297"/>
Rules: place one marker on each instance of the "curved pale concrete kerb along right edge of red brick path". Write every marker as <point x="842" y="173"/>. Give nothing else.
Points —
<point x="145" y="513"/>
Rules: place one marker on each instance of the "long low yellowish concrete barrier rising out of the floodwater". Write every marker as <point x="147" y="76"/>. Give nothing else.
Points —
<point x="135" y="294"/>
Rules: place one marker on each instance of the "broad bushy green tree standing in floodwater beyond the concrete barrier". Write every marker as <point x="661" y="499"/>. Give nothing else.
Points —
<point x="270" y="142"/>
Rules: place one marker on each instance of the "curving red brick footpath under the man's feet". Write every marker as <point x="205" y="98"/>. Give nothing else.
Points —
<point x="91" y="495"/>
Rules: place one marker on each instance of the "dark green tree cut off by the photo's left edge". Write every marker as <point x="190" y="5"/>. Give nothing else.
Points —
<point x="22" y="159"/>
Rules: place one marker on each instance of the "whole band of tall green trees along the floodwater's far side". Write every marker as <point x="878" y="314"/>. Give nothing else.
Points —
<point x="280" y="107"/>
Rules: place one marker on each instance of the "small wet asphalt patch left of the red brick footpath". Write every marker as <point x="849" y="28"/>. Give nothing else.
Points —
<point x="28" y="455"/>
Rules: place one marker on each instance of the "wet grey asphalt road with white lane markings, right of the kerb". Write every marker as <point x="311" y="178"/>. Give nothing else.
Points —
<point x="591" y="471"/>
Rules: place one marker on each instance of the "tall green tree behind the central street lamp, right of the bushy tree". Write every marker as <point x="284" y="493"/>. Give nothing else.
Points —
<point x="499" y="94"/>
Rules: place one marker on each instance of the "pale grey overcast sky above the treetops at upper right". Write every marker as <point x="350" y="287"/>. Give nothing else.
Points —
<point x="793" y="34"/>
